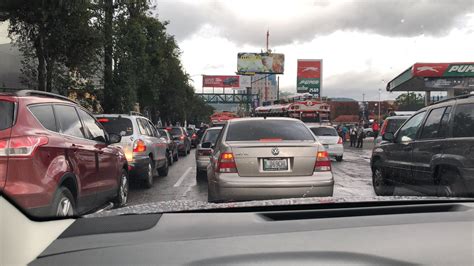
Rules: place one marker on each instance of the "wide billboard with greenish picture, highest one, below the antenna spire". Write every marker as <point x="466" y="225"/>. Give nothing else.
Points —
<point x="262" y="63"/>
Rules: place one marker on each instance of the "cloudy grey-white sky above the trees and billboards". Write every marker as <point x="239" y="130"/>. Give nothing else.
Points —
<point x="363" y="44"/>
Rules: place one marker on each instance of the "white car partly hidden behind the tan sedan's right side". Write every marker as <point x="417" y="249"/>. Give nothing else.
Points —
<point x="331" y="141"/>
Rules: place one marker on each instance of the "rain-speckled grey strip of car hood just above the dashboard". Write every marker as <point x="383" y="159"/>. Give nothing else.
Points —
<point x="189" y="205"/>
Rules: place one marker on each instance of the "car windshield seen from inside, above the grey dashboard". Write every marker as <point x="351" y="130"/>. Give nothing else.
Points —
<point x="318" y="101"/>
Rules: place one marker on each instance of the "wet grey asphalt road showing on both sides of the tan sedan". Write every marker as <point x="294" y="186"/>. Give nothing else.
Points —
<point x="353" y="178"/>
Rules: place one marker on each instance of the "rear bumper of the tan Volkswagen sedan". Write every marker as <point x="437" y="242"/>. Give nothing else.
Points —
<point x="230" y="187"/>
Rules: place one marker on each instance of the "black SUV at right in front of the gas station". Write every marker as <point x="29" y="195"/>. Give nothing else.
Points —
<point x="432" y="152"/>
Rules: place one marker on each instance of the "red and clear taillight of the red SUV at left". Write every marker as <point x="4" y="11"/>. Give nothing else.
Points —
<point x="21" y="146"/>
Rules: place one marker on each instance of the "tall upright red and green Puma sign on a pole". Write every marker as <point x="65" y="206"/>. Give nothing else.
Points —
<point x="308" y="77"/>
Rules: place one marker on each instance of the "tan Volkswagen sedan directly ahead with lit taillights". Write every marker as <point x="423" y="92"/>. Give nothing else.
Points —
<point x="252" y="160"/>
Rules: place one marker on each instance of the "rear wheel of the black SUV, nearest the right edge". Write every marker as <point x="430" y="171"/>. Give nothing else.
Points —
<point x="450" y="184"/>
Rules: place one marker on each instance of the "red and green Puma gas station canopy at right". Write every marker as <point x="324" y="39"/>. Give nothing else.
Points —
<point x="435" y="77"/>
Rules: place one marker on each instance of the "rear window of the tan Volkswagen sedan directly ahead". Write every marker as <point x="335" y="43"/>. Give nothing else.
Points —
<point x="268" y="130"/>
